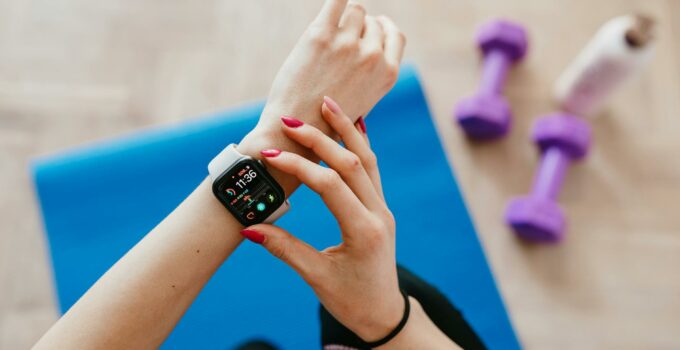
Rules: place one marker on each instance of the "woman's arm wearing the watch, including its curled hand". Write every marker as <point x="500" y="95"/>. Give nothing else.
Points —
<point x="137" y="303"/>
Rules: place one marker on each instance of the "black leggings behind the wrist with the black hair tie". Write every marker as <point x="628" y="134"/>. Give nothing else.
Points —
<point x="436" y="306"/>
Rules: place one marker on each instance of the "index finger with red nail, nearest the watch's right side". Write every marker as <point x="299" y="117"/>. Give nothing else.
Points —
<point x="339" y="199"/>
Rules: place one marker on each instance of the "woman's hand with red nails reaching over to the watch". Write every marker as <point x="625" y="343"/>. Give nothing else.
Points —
<point x="356" y="280"/>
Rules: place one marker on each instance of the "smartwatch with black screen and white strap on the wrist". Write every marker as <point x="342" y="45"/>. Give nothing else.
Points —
<point x="245" y="187"/>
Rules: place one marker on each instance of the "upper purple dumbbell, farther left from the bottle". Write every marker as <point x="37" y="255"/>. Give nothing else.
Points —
<point x="487" y="114"/>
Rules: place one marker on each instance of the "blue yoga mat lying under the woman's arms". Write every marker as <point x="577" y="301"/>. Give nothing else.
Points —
<point x="100" y="199"/>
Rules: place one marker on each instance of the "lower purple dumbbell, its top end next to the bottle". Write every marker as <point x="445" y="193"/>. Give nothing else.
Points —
<point x="561" y="138"/>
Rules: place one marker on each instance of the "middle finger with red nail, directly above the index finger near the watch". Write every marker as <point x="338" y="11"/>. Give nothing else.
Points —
<point x="346" y="163"/>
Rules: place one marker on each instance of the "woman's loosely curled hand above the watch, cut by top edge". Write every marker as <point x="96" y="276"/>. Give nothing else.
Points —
<point x="344" y="53"/>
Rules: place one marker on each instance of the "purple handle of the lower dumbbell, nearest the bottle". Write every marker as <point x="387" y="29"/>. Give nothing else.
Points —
<point x="548" y="181"/>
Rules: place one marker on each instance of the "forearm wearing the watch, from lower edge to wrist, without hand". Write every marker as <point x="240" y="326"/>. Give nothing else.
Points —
<point x="139" y="300"/>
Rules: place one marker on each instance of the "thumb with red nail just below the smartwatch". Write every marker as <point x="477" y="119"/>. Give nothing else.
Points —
<point x="299" y="255"/>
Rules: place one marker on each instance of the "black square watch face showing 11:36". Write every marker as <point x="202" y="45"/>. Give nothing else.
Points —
<point x="249" y="192"/>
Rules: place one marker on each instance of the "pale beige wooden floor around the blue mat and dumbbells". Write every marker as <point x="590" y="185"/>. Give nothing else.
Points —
<point x="73" y="71"/>
